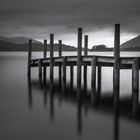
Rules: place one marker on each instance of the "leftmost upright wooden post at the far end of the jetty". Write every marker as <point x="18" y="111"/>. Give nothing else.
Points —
<point x="29" y="57"/>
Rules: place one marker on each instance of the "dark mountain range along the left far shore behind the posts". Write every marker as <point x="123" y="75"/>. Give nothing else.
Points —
<point x="21" y="44"/>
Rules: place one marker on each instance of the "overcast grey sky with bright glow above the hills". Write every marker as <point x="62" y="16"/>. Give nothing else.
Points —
<point x="38" y="18"/>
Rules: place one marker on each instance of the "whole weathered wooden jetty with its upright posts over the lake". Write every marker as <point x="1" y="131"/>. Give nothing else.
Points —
<point x="85" y="60"/>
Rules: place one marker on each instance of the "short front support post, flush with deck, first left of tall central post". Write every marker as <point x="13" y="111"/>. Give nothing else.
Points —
<point x="64" y="74"/>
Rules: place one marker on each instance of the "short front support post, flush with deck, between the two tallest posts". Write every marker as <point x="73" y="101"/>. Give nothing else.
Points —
<point x="93" y="78"/>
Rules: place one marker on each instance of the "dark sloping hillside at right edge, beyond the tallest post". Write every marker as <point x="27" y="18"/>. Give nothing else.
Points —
<point x="133" y="44"/>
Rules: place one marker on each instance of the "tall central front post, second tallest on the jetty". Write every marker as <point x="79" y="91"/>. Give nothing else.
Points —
<point x="79" y="53"/>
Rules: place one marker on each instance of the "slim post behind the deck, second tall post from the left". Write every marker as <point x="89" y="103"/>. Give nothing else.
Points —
<point x="44" y="56"/>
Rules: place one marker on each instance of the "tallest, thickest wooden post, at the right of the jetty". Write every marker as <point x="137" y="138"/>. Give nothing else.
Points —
<point x="116" y="73"/>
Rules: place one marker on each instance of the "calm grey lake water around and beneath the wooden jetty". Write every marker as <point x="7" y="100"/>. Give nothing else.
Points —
<point x="31" y="112"/>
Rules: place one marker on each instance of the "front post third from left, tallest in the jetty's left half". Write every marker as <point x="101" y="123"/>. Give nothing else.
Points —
<point x="51" y="56"/>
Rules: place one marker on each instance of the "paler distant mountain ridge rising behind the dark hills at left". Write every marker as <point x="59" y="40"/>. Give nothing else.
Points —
<point x="18" y="40"/>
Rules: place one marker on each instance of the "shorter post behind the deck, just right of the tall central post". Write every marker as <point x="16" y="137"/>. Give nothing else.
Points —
<point x="85" y="67"/>
